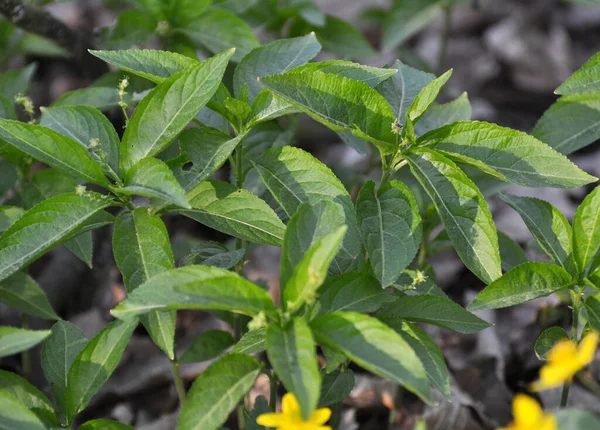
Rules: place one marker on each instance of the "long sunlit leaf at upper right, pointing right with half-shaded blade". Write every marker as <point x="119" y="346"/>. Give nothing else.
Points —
<point x="516" y="156"/>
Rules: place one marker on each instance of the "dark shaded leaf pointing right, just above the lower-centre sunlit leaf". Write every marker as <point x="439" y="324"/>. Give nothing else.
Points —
<point x="434" y="310"/>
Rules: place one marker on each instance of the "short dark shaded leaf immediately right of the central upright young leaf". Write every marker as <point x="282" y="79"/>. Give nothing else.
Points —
<point x="352" y="292"/>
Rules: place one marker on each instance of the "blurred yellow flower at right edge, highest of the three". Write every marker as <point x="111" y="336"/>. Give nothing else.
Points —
<point x="565" y="360"/>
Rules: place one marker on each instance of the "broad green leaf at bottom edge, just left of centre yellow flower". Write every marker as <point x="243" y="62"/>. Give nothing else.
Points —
<point x="217" y="391"/>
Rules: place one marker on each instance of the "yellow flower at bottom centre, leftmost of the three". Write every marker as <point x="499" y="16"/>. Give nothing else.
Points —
<point x="290" y="417"/>
